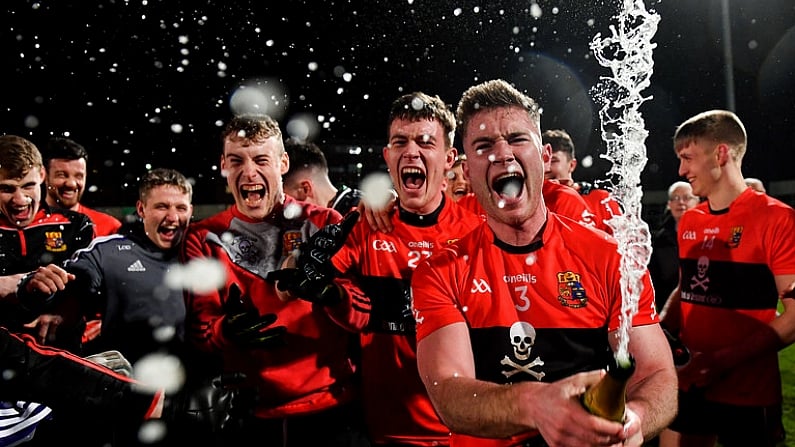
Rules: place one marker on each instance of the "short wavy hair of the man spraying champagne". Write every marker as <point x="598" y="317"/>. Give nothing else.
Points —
<point x="493" y="94"/>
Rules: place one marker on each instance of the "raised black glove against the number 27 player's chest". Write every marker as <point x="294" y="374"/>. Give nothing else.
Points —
<point x="312" y="278"/>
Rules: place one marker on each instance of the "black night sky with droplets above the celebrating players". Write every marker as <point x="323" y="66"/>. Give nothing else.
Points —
<point x="148" y="83"/>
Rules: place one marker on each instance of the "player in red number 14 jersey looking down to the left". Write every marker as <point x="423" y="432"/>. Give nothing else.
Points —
<point x="737" y="269"/>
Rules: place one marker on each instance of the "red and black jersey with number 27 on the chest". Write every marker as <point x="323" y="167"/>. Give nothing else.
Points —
<point x="396" y="403"/>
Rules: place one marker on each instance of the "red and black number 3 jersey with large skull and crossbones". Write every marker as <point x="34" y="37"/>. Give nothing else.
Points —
<point x="536" y="313"/>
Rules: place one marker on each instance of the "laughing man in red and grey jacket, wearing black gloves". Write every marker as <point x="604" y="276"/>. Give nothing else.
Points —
<point x="307" y="386"/>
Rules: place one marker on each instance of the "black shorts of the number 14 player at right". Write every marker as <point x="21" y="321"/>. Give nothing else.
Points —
<point x="734" y="425"/>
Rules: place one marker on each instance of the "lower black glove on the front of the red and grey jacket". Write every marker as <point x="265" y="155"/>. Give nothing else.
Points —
<point x="246" y="327"/>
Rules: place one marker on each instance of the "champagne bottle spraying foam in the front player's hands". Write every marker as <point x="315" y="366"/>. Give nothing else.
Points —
<point x="607" y="398"/>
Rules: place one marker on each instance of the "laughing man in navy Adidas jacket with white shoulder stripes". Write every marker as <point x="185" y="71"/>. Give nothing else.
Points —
<point x="122" y="277"/>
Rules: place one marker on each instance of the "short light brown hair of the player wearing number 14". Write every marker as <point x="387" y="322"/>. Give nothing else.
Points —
<point x="717" y="126"/>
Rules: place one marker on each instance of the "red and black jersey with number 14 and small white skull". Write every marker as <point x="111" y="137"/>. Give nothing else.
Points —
<point x="728" y="262"/>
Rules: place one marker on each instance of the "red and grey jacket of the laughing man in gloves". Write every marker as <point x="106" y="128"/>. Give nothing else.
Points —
<point x="314" y="371"/>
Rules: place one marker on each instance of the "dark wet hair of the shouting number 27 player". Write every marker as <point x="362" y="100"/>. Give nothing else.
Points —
<point x="420" y="106"/>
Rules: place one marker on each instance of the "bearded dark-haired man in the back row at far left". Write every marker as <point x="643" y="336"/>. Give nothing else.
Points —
<point x="66" y="165"/>
